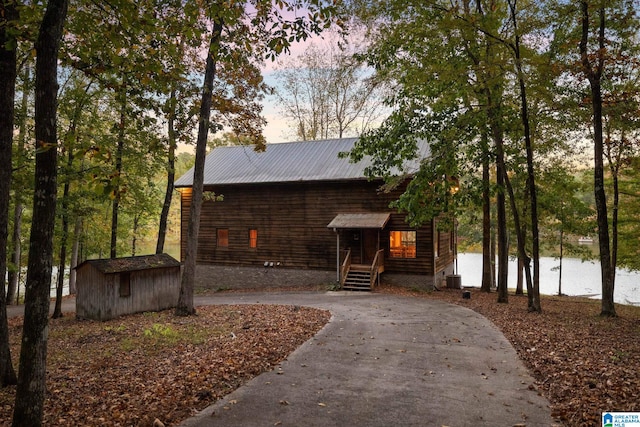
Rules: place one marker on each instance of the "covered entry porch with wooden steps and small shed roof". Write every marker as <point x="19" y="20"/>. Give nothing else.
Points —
<point x="359" y="255"/>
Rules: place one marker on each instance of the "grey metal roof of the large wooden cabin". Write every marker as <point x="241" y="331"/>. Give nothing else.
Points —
<point x="284" y="162"/>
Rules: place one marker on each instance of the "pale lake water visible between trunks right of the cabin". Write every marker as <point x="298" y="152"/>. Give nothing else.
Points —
<point x="578" y="278"/>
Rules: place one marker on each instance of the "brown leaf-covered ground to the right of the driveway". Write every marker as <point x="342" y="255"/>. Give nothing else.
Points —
<point x="583" y="363"/>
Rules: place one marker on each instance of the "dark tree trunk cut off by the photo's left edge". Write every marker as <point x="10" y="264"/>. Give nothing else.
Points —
<point x="8" y="75"/>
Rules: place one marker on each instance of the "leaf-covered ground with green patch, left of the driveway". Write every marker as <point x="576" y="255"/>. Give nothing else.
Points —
<point x="135" y="369"/>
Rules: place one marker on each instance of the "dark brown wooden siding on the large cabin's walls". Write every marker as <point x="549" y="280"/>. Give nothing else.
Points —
<point x="291" y="220"/>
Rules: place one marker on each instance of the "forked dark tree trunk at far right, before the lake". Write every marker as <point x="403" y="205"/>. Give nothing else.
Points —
<point x="594" y="76"/>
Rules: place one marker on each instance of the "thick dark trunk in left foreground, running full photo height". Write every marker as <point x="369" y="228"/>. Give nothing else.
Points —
<point x="31" y="389"/>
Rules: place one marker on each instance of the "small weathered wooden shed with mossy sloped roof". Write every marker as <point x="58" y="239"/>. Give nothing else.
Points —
<point x="108" y="288"/>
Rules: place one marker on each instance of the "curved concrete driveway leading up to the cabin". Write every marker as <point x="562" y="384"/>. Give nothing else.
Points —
<point x="385" y="361"/>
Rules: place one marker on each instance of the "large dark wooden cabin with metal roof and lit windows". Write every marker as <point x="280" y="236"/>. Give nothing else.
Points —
<point x="299" y="205"/>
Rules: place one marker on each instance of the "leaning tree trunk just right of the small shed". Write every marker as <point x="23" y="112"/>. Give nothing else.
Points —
<point x="185" y="301"/>
